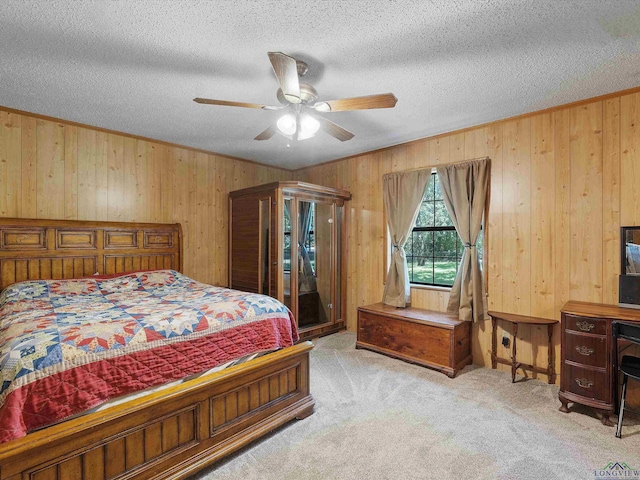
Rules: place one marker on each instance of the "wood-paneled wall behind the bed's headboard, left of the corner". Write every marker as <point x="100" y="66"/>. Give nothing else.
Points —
<point x="52" y="169"/>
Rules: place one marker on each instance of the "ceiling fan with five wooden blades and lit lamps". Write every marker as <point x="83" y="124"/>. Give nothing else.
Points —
<point x="299" y="98"/>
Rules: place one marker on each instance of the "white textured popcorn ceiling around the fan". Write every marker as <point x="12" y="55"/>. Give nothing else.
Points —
<point x="136" y="66"/>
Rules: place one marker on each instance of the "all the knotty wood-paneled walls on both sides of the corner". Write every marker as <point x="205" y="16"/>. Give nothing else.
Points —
<point x="562" y="183"/>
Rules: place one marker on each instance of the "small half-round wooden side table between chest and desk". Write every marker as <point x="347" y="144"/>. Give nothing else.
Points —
<point x="515" y="320"/>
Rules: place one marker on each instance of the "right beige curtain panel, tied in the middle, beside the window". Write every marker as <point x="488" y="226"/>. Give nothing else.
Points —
<point x="464" y="189"/>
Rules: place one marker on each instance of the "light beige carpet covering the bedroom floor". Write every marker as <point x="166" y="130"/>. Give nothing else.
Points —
<point x="380" y="418"/>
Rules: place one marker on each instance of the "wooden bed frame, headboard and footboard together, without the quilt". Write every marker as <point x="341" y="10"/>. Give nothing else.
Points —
<point x="170" y="433"/>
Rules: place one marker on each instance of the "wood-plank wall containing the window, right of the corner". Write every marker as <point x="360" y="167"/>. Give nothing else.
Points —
<point x="562" y="183"/>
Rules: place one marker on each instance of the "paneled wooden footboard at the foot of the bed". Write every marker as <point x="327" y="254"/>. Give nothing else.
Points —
<point x="172" y="433"/>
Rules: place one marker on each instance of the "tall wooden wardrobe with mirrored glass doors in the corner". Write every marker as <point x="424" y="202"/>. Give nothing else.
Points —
<point x="287" y="240"/>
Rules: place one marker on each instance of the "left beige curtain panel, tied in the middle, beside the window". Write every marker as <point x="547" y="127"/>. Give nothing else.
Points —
<point x="403" y="192"/>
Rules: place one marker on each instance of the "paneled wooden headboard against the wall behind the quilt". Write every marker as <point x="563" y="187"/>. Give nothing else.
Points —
<point x="33" y="249"/>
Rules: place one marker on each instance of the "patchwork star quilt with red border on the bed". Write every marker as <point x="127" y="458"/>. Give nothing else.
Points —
<point x="67" y="346"/>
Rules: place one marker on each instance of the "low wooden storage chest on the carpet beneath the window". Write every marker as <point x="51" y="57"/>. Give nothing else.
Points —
<point x="432" y="339"/>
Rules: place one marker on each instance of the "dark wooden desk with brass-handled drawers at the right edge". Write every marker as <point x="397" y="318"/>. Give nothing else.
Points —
<point x="588" y="370"/>
